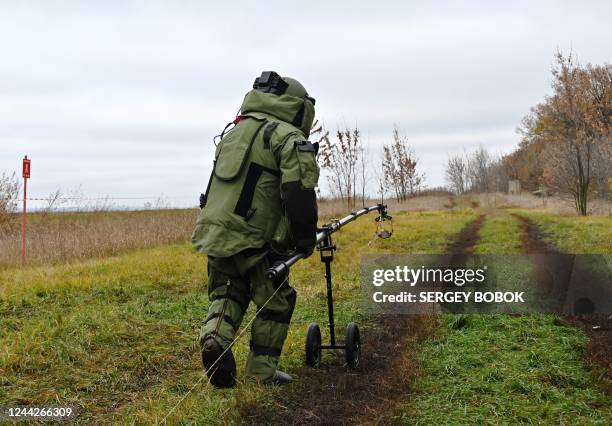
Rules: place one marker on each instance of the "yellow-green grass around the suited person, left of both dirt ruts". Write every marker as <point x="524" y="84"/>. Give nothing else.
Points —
<point x="116" y="337"/>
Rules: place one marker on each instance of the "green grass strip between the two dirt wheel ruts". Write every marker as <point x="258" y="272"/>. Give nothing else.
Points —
<point x="501" y="369"/>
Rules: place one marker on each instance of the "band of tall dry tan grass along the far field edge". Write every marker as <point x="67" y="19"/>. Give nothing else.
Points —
<point x="60" y="237"/>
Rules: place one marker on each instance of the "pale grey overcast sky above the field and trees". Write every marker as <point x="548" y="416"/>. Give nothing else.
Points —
<point x="124" y="97"/>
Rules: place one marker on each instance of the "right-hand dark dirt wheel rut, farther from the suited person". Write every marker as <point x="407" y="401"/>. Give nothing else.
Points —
<point x="597" y="327"/>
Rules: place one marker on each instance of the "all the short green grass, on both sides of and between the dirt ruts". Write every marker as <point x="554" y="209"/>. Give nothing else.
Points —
<point x="115" y="336"/>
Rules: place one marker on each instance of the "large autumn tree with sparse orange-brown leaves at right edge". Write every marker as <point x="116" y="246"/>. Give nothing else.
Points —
<point x="571" y="130"/>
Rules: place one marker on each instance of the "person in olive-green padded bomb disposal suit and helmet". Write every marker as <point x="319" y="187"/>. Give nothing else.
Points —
<point x="259" y="206"/>
